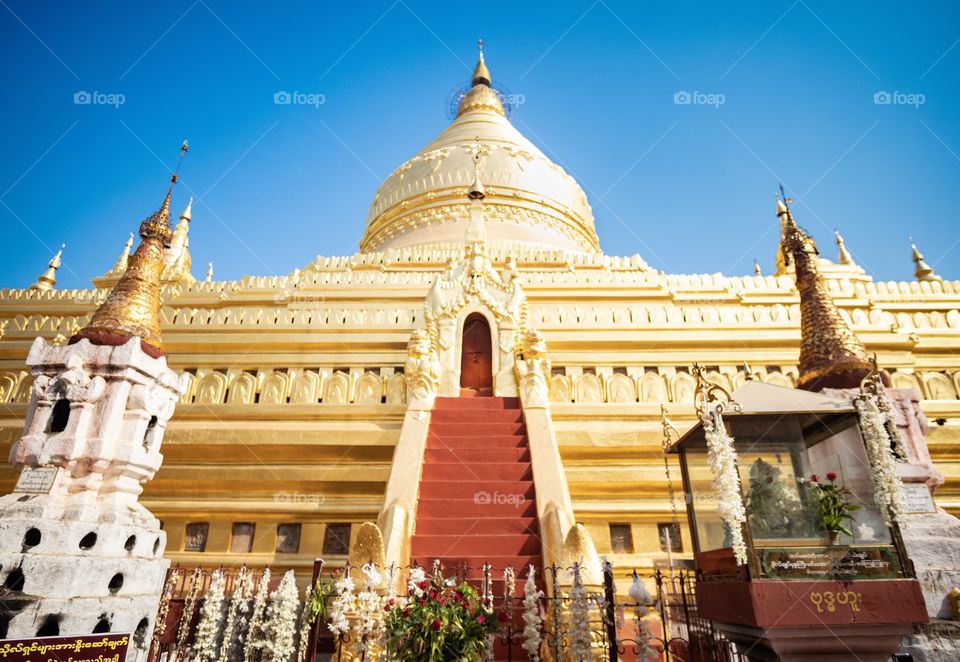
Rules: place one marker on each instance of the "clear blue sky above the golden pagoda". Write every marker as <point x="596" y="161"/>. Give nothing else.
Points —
<point x="687" y="186"/>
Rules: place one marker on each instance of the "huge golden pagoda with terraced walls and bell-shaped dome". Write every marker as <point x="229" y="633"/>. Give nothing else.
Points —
<point x="287" y="437"/>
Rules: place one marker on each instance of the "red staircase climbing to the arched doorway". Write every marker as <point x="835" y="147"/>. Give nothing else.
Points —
<point x="477" y="503"/>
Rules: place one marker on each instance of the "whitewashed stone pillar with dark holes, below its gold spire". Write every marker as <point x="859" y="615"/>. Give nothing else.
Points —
<point x="79" y="553"/>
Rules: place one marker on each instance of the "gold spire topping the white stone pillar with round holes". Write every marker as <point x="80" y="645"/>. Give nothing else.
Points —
<point x="132" y="309"/>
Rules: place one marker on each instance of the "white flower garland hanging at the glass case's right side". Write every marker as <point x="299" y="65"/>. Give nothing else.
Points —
<point x="888" y="488"/>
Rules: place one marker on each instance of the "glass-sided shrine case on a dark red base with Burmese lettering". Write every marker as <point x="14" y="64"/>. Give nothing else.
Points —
<point x="821" y="577"/>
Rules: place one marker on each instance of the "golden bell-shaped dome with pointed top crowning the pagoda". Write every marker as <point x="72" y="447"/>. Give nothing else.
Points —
<point x="530" y="200"/>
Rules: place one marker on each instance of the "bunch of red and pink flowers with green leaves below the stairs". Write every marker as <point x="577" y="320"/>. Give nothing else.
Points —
<point x="438" y="621"/>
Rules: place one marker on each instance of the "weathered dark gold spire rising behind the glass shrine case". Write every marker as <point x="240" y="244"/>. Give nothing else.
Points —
<point x="831" y="356"/>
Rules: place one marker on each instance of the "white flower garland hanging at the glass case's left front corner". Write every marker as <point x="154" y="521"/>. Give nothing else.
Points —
<point x="722" y="458"/>
